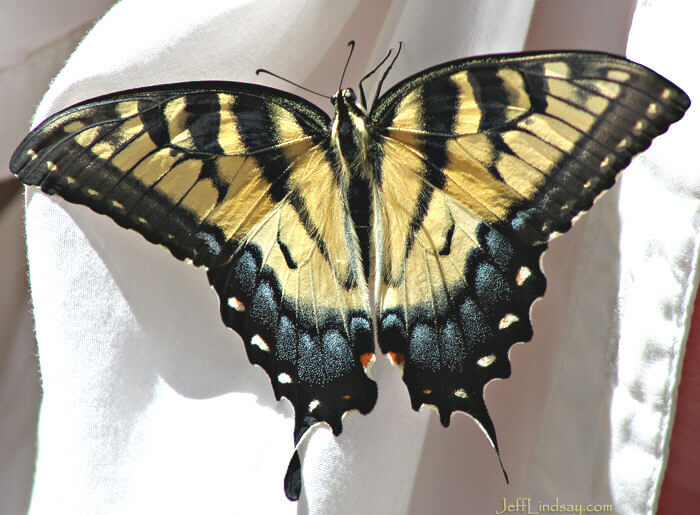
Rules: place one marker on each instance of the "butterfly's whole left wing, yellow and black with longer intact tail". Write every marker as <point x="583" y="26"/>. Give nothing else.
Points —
<point x="238" y="179"/>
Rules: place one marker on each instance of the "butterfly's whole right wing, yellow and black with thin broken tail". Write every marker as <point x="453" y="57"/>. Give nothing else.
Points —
<point x="483" y="161"/>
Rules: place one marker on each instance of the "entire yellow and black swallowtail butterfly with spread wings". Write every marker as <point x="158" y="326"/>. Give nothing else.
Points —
<point x="416" y="223"/>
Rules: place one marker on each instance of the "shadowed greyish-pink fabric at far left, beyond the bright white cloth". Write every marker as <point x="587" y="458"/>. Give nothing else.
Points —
<point x="36" y="37"/>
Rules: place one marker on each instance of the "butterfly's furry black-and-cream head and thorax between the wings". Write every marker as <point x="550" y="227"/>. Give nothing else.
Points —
<point x="349" y="134"/>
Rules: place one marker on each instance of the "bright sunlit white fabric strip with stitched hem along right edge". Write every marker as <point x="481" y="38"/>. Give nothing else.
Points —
<point x="661" y="251"/>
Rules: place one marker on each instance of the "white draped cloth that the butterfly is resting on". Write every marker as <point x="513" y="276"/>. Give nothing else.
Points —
<point x="150" y="403"/>
